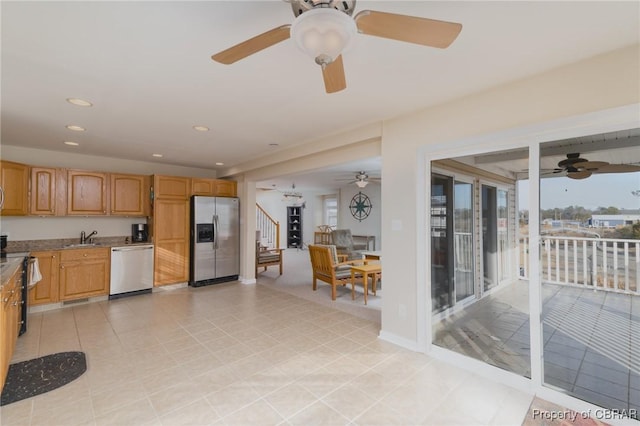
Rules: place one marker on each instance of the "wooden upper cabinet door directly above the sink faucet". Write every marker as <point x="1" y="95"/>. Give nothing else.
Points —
<point x="86" y="193"/>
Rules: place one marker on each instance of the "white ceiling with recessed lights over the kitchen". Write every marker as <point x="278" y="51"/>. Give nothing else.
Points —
<point x="146" y="67"/>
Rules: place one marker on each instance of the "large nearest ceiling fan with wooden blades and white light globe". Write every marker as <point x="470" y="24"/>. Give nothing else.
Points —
<point x="324" y="29"/>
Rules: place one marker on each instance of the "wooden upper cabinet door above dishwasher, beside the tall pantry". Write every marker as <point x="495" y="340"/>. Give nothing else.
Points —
<point x="129" y="195"/>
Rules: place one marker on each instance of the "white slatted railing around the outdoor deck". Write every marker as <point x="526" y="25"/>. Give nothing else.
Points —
<point x="598" y="263"/>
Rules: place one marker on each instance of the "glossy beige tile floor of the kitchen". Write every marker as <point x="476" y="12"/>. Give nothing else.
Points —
<point x="233" y="354"/>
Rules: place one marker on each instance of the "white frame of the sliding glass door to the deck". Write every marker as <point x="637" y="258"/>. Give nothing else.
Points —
<point x="530" y="137"/>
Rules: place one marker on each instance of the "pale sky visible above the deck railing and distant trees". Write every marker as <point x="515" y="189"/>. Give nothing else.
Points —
<point x="599" y="190"/>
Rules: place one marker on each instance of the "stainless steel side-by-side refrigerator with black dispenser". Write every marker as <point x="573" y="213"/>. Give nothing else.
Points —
<point x="215" y="240"/>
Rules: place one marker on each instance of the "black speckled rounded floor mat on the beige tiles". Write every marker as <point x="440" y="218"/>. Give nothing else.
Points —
<point x="36" y="376"/>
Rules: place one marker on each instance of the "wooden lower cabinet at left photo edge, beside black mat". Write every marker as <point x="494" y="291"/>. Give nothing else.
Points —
<point x="10" y="299"/>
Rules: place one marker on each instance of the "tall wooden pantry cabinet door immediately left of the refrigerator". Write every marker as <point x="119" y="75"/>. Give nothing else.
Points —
<point x="171" y="238"/>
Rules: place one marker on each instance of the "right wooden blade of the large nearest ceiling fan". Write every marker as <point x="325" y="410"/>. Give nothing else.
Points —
<point x="427" y="32"/>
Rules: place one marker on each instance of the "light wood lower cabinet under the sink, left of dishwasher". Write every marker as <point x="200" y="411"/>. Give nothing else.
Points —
<point x="84" y="273"/>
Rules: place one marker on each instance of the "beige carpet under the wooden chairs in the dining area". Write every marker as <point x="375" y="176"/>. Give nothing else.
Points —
<point x="296" y="280"/>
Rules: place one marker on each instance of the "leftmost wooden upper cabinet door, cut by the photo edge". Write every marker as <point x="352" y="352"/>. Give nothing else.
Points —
<point x="14" y="189"/>
